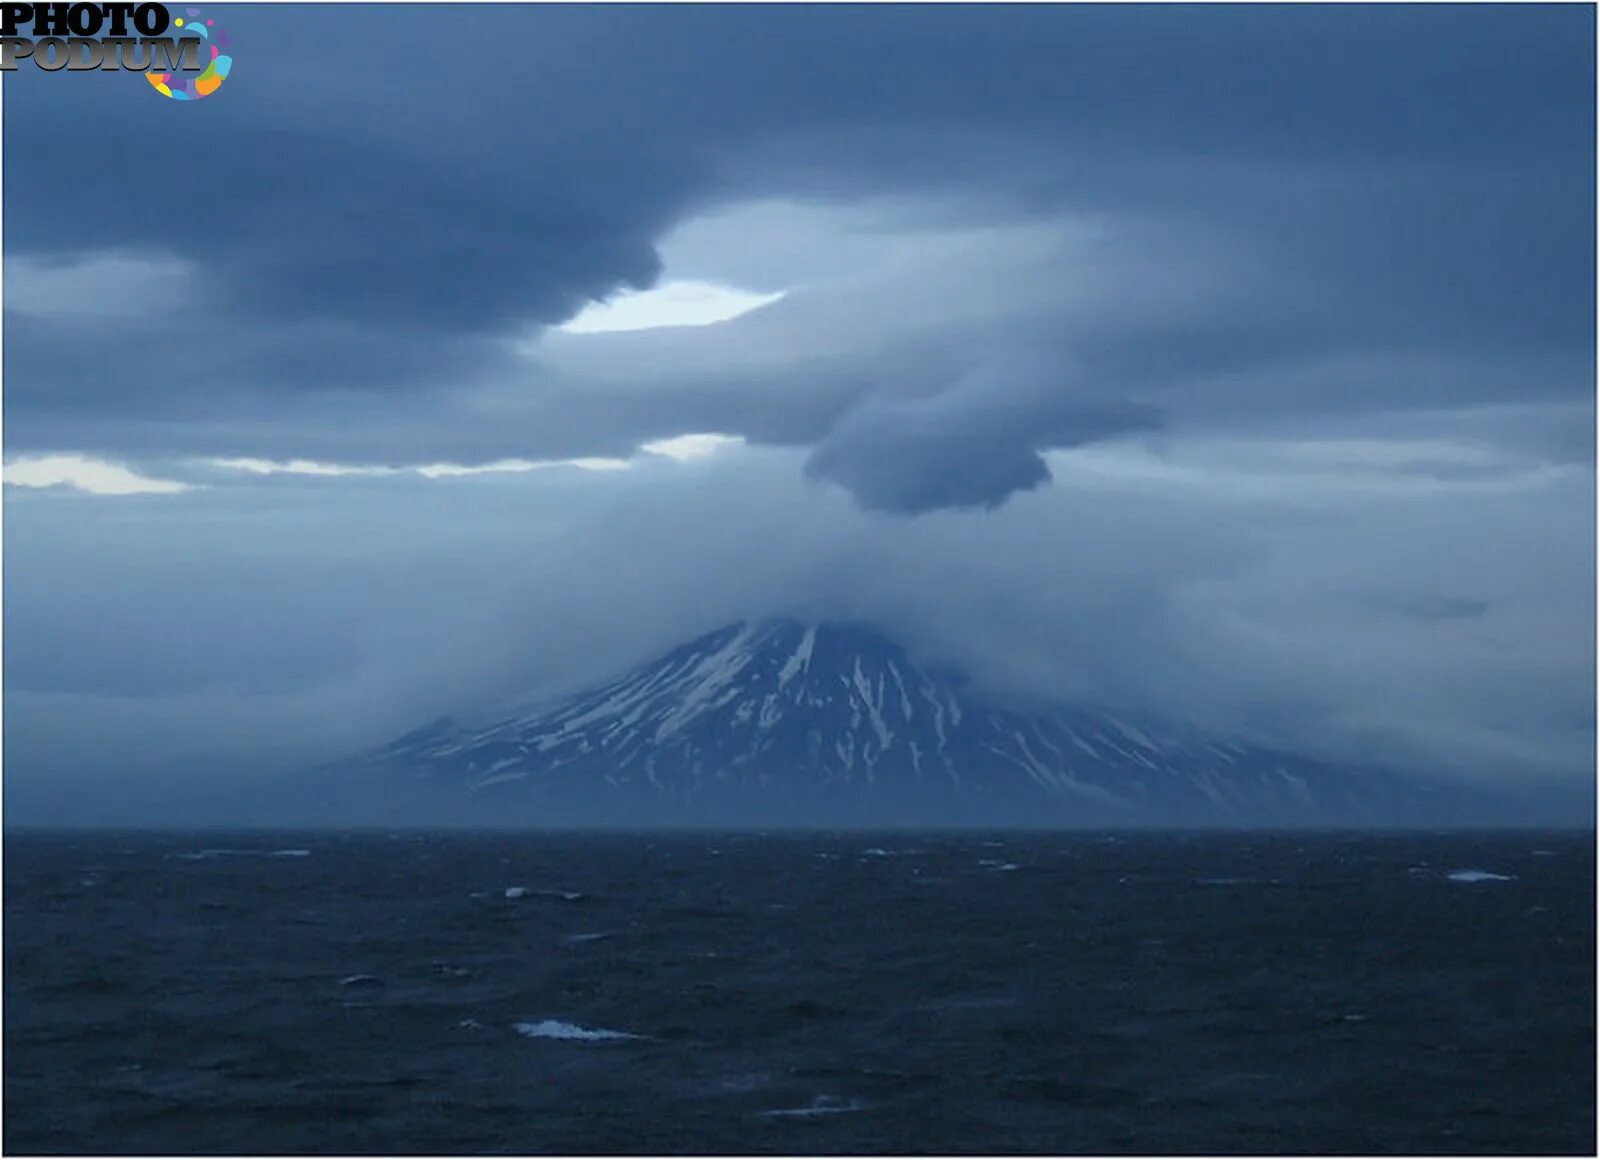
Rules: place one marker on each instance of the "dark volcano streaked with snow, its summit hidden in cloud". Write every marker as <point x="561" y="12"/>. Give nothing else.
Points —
<point x="780" y="721"/>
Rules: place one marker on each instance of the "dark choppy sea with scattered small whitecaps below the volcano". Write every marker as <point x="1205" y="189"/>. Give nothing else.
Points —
<point x="892" y="993"/>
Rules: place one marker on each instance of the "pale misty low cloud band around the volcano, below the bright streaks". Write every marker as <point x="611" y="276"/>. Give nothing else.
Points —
<point x="1300" y="594"/>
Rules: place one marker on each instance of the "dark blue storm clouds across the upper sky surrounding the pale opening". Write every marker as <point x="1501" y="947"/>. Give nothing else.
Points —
<point x="1313" y="183"/>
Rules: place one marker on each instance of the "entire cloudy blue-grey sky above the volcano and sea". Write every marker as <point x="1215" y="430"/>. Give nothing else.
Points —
<point x="1234" y="364"/>
